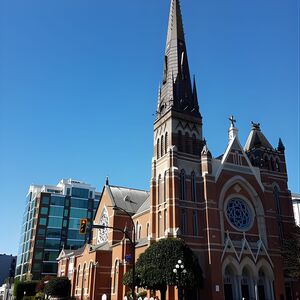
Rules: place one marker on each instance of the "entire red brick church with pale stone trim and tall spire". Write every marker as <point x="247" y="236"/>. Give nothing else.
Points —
<point x="233" y="211"/>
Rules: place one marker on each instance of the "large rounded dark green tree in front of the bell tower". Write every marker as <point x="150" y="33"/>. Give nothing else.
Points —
<point x="154" y="267"/>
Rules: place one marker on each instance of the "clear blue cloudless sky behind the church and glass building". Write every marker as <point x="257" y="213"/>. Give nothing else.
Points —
<point x="79" y="79"/>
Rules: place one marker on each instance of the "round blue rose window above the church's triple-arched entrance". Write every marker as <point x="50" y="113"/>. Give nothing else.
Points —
<point x="239" y="213"/>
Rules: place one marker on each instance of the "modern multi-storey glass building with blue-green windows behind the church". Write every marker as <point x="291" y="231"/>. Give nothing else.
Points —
<point x="51" y="222"/>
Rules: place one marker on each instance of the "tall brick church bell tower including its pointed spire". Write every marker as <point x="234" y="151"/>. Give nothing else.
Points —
<point x="178" y="139"/>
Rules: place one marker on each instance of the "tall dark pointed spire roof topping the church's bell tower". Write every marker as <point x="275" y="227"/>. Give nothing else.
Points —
<point x="176" y="91"/>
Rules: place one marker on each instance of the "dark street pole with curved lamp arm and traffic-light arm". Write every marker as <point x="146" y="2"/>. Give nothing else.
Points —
<point x="132" y="241"/>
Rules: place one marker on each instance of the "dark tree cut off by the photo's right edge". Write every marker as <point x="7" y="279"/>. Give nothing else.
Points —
<point x="291" y="253"/>
